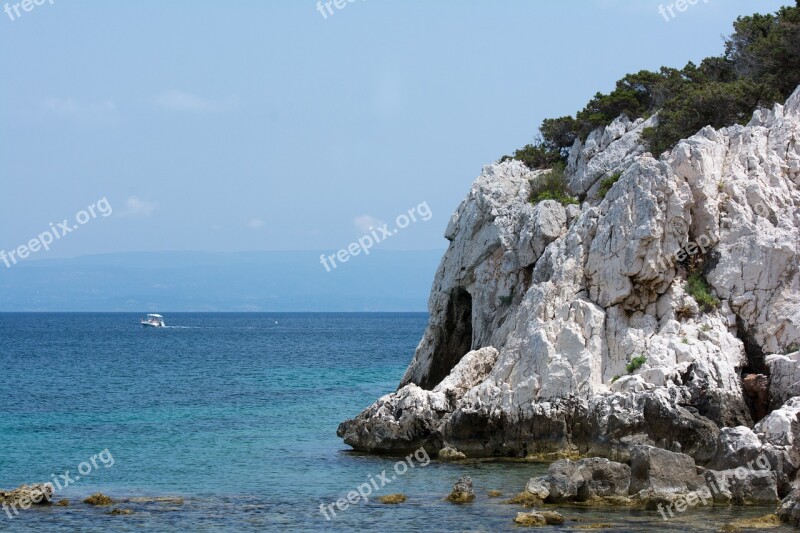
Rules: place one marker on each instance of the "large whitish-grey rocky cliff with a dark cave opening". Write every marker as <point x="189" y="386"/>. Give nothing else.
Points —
<point x="538" y="312"/>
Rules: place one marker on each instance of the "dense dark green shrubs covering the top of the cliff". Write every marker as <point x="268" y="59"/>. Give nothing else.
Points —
<point x="760" y="66"/>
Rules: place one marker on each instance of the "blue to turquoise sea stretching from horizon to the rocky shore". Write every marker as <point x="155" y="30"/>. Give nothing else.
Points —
<point x="237" y="415"/>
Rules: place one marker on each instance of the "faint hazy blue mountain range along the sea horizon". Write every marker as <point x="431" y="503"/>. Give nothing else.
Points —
<point x="198" y="281"/>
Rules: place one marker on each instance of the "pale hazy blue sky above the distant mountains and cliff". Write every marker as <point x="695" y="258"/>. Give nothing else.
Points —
<point x="261" y="125"/>
